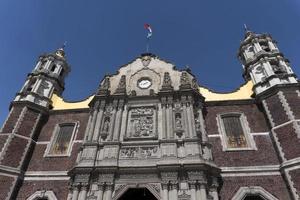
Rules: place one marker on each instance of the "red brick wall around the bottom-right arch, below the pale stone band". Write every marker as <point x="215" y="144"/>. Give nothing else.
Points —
<point x="273" y="184"/>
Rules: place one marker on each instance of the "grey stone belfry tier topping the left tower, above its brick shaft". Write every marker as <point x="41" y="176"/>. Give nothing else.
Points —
<point x="46" y="78"/>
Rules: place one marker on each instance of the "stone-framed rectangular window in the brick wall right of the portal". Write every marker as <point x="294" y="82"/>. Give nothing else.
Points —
<point x="235" y="132"/>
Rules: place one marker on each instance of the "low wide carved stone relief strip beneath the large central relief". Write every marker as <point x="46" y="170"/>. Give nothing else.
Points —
<point x="139" y="152"/>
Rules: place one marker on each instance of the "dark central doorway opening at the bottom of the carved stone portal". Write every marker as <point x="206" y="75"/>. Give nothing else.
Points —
<point x="137" y="194"/>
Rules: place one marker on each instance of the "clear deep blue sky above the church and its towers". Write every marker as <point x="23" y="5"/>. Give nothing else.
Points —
<point x="104" y="35"/>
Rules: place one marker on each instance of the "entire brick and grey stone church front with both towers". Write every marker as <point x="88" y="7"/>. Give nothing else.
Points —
<point x="151" y="132"/>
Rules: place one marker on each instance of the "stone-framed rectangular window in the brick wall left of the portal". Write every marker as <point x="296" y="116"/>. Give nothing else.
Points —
<point x="61" y="141"/>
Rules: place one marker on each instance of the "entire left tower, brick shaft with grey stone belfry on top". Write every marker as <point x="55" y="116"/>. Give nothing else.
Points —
<point x="27" y="113"/>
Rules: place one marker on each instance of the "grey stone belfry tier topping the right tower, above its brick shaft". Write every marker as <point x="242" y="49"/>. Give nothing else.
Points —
<point x="263" y="63"/>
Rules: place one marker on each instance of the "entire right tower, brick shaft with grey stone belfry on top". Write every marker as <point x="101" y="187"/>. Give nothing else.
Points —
<point x="277" y="90"/>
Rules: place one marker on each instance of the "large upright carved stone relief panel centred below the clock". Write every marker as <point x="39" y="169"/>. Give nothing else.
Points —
<point x="142" y="122"/>
